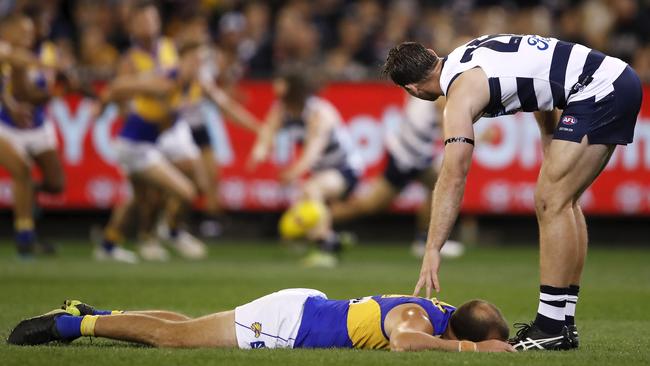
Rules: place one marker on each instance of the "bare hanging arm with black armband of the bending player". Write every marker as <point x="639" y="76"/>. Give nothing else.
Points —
<point x="467" y="98"/>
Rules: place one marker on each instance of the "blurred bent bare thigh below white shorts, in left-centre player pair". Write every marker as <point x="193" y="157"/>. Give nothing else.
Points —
<point x="167" y="177"/>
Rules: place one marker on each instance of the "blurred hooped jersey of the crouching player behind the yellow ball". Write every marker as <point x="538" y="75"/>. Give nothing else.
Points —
<point x="339" y="152"/>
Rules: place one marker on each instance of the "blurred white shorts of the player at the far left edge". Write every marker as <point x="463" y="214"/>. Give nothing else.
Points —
<point x="30" y="142"/>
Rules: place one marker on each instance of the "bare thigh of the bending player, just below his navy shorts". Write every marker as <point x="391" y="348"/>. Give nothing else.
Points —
<point x="567" y="170"/>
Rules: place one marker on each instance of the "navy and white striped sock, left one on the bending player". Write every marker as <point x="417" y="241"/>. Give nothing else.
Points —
<point x="550" y="313"/>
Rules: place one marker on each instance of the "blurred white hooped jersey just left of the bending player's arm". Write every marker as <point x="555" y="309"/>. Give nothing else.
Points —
<point x="413" y="146"/>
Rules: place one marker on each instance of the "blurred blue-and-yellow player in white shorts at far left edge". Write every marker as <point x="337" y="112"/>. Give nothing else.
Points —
<point x="26" y="136"/>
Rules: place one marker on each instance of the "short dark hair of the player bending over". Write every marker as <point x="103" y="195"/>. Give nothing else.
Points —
<point x="409" y="62"/>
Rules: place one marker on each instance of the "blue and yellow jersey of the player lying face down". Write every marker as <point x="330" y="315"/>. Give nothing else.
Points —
<point x="359" y="323"/>
